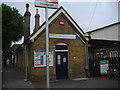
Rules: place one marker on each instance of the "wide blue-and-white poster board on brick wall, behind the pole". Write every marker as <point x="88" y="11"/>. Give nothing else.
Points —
<point x="40" y="59"/>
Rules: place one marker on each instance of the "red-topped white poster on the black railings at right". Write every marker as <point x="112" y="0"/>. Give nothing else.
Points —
<point x="103" y="67"/>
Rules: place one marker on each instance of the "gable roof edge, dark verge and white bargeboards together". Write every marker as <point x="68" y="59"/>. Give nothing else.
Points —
<point x="51" y="18"/>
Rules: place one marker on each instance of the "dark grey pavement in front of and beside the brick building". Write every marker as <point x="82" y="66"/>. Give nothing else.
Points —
<point x="13" y="78"/>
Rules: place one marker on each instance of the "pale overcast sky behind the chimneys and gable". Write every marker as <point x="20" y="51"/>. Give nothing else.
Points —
<point x="89" y="15"/>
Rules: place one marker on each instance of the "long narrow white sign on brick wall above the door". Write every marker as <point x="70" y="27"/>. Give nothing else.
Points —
<point x="62" y="36"/>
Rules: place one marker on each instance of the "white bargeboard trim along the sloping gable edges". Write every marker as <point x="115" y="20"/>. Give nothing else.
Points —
<point x="43" y="27"/>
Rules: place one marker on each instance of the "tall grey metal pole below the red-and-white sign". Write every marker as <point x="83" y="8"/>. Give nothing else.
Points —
<point x="47" y="48"/>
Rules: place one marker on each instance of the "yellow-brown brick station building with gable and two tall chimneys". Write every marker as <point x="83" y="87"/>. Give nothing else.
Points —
<point x="67" y="45"/>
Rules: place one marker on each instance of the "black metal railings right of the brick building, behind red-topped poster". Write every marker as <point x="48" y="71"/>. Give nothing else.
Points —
<point x="113" y="65"/>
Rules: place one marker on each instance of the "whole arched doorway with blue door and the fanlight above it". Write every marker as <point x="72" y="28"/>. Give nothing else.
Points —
<point x="61" y="61"/>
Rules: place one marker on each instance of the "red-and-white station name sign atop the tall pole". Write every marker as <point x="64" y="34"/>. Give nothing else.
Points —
<point x="46" y="3"/>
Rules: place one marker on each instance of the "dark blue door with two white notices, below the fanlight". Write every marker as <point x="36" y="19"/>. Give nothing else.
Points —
<point x="61" y="65"/>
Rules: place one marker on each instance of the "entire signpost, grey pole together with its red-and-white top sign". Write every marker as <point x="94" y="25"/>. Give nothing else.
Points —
<point x="47" y="4"/>
